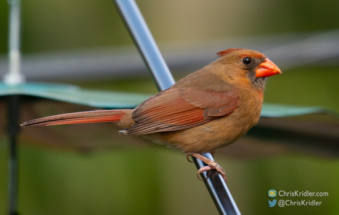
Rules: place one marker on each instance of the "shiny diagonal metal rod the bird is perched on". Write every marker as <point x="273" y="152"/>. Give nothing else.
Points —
<point x="164" y="79"/>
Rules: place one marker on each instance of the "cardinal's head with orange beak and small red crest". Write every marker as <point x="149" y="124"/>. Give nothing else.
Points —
<point x="248" y="65"/>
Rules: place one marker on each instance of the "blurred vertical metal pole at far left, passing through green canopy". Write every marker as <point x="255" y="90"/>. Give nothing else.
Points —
<point x="13" y="76"/>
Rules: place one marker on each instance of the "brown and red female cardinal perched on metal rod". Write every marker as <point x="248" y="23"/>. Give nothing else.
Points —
<point x="206" y="110"/>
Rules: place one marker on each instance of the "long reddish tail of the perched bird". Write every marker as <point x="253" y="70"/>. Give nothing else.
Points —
<point x="80" y="117"/>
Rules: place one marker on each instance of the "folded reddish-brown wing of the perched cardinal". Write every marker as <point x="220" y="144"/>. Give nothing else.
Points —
<point x="177" y="109"/>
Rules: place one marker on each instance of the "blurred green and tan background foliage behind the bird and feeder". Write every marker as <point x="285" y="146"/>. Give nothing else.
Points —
<point x="156" y="180"/>
